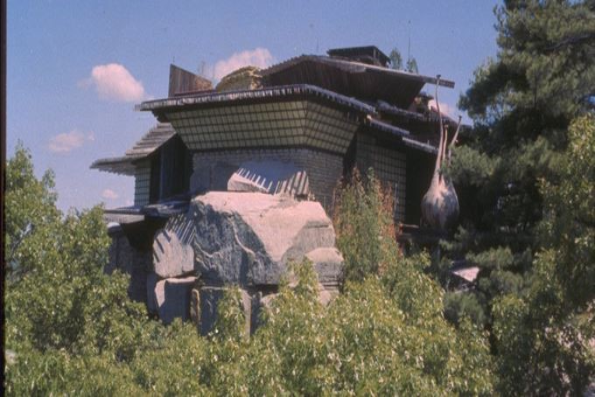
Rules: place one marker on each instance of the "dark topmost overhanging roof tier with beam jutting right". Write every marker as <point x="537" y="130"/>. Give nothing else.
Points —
<point x="353" y="79"/>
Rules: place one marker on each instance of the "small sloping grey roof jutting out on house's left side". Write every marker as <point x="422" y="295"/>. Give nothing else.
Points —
<point x="150" y="142"/>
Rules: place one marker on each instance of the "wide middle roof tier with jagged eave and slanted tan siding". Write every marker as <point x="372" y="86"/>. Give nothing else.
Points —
<point x="278" y="116"/>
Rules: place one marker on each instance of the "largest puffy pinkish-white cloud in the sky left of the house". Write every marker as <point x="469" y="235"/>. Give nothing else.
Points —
<point x="114" y="82"/>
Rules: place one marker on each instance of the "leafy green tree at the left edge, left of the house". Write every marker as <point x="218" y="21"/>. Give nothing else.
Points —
<point x="63" y="315"/>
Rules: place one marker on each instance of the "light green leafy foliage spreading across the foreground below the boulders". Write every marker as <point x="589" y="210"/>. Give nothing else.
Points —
<point x="72" y="330"/>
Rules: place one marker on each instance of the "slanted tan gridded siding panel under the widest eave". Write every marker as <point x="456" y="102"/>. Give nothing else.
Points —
<point x="280" y="124"/>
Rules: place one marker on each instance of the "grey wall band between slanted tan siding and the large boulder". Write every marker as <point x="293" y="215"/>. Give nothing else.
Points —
<point x="213" y="169"/>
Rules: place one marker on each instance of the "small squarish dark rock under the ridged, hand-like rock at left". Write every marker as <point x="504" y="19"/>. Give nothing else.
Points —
<point x="172" y="297"/>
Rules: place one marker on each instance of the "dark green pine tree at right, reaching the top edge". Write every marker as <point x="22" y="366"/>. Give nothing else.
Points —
<point x="522" y="104"/>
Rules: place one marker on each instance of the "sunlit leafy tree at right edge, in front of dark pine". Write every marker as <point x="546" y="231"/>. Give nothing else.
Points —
<point x="543" y="335"/>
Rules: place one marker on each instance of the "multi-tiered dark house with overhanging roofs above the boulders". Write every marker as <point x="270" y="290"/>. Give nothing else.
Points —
<point x="296" y="128"/>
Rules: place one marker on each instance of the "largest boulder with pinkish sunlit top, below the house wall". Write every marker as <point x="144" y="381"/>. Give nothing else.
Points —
<point x="249" y="238"/>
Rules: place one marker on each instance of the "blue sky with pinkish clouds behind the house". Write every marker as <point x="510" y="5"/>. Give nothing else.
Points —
<point x="77" y="68"/>
